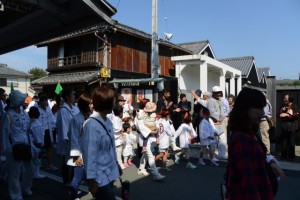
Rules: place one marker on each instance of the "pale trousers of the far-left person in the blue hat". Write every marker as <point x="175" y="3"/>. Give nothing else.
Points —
<point x="19" y="176"/>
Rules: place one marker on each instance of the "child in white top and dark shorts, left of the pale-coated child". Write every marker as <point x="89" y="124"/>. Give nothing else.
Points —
<point x="186" y="133"/>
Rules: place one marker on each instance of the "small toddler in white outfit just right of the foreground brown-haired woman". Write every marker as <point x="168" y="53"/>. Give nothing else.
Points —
<point x="128" y="138"/>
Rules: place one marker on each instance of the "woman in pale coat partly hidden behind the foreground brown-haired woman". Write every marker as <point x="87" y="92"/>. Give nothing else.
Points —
<point x="74" y="156"/>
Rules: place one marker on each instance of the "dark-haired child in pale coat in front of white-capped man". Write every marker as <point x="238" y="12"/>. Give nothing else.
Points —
<point x="208" y="133"/>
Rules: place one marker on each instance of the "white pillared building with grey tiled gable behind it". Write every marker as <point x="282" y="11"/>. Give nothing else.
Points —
<point x="203" y="71"/>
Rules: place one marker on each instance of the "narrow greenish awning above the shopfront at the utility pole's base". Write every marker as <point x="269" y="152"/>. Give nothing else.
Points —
<point x="136" y="82"/>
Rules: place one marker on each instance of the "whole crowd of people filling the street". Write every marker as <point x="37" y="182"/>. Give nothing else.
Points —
<point x="96" y="135"/>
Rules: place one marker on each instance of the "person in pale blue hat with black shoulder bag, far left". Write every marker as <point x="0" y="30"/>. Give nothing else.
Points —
<point x="15" y="128"/>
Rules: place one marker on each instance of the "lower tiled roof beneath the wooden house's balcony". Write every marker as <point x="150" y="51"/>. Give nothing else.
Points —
<point x="75" y="77"/>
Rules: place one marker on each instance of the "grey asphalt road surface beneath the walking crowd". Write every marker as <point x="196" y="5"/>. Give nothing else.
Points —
<point x="180" y="183"/>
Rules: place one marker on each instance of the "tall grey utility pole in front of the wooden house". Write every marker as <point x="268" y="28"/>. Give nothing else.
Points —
<point x="155" y="68"/>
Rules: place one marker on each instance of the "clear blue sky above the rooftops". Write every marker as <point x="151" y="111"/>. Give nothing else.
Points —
<point x="269" y="30"/>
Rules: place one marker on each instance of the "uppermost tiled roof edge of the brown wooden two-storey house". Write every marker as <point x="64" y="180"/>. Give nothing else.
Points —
<point x="119" y="27"/>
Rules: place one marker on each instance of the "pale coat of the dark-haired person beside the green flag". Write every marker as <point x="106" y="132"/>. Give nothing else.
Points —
<point x="64" y="116"/>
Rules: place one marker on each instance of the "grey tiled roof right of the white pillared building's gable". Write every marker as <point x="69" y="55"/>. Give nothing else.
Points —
<point x="243" y="64"/>
